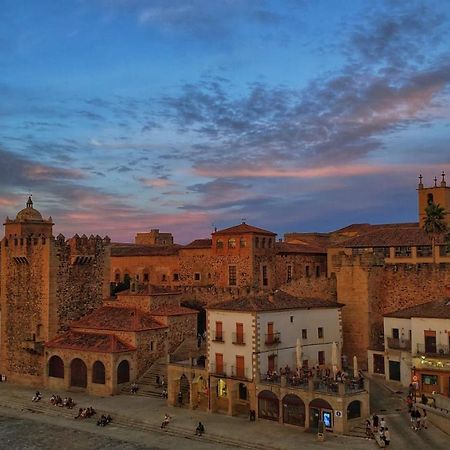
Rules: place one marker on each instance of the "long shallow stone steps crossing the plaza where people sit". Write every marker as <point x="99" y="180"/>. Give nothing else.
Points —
<point x="44" y="407"/>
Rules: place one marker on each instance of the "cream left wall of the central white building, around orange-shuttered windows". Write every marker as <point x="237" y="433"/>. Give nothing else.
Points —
<point x="227" y="348"/>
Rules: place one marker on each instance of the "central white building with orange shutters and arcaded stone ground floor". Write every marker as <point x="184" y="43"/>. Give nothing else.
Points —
<point x="267" y="333"/>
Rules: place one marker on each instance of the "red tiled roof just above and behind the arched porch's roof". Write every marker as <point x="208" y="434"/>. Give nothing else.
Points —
<point x="119" y="319"/>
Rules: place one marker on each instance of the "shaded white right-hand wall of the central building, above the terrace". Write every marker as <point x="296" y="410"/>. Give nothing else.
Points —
<point x="311" y="320"/>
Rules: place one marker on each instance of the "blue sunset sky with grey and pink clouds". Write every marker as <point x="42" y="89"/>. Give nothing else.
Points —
<point x="294" y="115"/>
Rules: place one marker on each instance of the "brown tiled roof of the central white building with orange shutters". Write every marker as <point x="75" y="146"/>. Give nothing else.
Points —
<point x="280" y="300"/>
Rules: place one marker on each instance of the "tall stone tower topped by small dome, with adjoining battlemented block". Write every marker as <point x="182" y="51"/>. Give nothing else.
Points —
<point x="45" y="282"/>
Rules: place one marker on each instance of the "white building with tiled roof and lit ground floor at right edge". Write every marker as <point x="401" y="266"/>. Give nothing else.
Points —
<point x="417" y="347"/>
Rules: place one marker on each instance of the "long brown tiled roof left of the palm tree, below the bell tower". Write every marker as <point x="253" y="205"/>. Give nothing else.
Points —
<point x="390" y="237"/>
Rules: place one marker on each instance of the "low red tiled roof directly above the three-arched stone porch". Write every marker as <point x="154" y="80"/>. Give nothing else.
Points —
<point x="90" y="342"/>
